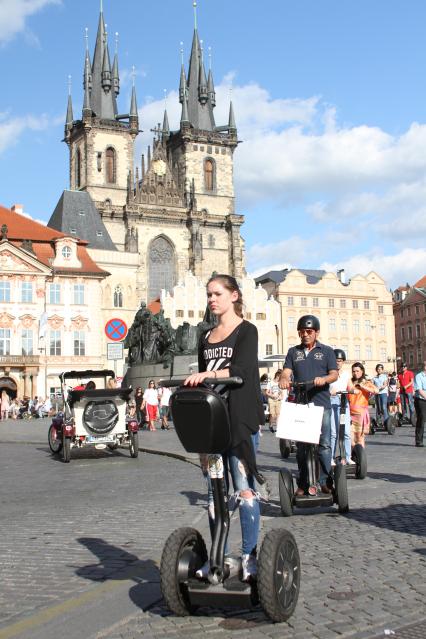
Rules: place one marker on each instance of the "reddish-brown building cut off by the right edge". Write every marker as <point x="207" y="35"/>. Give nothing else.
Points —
<point x="410" y="323"/>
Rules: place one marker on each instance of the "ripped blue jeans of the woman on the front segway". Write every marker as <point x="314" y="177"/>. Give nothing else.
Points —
<point x="249" y="507"/>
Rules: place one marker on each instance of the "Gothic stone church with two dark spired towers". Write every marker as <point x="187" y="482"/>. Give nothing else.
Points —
<point x="175" y="211"/>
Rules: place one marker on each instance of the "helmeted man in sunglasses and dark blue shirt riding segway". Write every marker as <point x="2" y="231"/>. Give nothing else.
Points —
<point x="311" y="360"/>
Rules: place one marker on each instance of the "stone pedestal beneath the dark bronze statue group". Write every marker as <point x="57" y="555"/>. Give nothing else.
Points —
<point x="140" y="374"/>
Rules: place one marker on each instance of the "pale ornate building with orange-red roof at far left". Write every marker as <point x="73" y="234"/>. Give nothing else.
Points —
<point x="50" y="306"/>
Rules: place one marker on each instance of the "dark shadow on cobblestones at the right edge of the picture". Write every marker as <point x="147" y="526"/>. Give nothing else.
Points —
<point x="404" y="518"/>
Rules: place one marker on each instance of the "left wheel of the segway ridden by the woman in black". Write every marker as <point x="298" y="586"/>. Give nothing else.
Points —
<point x="184" y="552"/>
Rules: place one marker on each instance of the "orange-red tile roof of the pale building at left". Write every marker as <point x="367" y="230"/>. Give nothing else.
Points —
<point x="20" y="227"/>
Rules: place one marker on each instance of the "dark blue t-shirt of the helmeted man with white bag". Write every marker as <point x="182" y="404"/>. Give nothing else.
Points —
<point x="317" y="363"/>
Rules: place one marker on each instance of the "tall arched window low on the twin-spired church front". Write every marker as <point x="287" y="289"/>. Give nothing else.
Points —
<point x="161" y="267"/>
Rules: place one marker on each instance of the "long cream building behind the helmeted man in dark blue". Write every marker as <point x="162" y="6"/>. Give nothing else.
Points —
<point x="355" y="316"/>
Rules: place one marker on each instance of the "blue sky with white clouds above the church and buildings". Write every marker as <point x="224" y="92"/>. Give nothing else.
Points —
<point x="329" y="99"/>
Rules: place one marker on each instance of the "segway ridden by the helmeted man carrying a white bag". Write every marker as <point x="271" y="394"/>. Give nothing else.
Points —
<point x="313" y="499"/>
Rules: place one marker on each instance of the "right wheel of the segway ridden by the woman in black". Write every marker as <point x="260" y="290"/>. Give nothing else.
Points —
<point x="278" y="574"/>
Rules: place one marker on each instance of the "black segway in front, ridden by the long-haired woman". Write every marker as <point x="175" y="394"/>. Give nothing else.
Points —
<point x="201" y="420"/>
